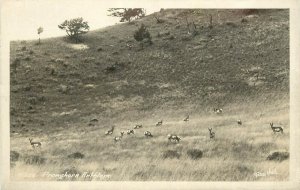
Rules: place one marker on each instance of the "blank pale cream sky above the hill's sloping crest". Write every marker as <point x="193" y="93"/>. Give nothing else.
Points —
<point x="23" y="17"/>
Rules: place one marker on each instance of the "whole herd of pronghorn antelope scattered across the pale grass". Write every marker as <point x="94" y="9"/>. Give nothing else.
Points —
<point x="170" y="137"/>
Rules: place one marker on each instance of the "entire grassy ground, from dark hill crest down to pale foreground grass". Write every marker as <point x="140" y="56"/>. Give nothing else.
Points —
<point x="243" y="67"/>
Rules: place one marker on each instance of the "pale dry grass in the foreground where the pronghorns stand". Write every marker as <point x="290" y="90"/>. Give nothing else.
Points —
<point x="237" y="152"/>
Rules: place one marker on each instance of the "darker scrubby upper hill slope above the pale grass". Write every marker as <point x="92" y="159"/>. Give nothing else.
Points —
<point x="232" y="62"/>
